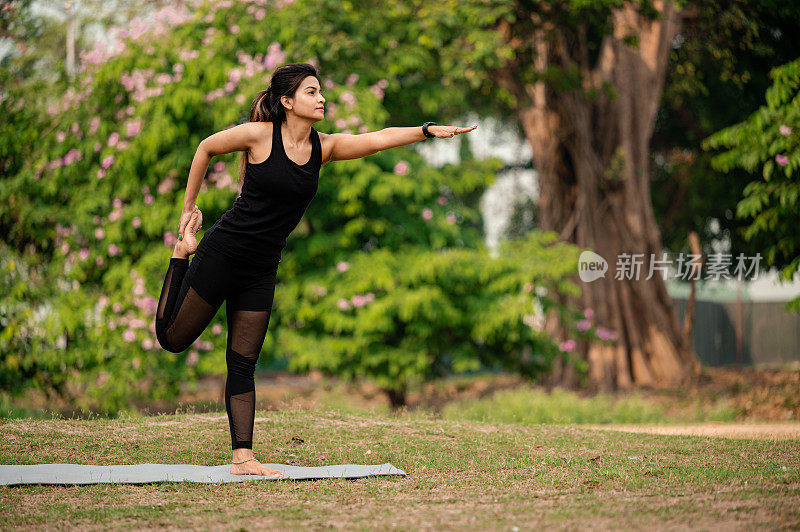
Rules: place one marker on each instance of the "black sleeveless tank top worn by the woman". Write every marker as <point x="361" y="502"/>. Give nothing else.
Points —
<point x="274" y="196"/>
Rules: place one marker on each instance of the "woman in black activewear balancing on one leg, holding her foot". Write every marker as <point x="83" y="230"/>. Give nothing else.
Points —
<point x="238" y="258"/>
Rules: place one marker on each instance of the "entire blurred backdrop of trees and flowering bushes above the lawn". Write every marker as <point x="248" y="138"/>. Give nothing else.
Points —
<point x="441" y="276"/>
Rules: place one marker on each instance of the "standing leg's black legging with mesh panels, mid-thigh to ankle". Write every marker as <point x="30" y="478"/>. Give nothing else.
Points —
<point x="246" y="332"/>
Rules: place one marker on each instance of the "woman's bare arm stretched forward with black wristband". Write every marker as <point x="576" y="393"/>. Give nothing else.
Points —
<point x="344" y="146"/>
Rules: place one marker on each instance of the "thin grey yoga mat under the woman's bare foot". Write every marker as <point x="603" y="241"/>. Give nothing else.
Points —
<point x="144" y="473"/>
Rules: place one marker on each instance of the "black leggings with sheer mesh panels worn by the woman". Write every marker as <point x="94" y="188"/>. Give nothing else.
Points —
<point x="190" y="298"/>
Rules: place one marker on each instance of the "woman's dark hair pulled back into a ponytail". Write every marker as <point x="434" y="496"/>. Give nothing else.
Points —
<point x="267" y="106"/>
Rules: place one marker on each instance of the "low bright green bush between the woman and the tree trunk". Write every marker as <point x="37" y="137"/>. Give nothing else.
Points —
<point x="403" y="317"/>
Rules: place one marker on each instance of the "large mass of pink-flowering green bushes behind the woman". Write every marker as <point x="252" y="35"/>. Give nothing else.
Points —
<point x="92" y="194"/>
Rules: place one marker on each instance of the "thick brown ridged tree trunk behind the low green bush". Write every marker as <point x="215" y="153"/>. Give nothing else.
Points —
<point x="592" y="160"/>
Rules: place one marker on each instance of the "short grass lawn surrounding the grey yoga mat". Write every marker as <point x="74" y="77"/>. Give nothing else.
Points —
<point x="461" y="474"/>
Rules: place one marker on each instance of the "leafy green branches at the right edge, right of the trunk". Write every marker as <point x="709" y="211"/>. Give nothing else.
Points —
<point x="767" y="143"/>
